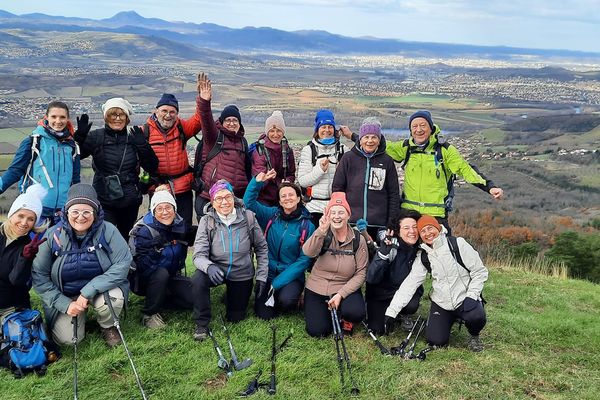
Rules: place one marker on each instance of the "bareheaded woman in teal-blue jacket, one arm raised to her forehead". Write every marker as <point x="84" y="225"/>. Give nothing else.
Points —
<point x="286" y="228"/>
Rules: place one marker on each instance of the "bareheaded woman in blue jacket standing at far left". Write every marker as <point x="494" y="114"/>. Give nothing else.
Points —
<point x="49" y="156"/>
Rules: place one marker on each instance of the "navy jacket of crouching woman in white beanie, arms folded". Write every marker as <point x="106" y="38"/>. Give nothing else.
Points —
<point x="162" y="251"/>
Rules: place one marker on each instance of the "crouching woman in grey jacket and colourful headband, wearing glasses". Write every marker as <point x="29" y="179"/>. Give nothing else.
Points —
<point x="227" y="236"/>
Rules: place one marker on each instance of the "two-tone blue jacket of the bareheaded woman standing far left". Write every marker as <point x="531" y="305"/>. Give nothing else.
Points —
<point x="61" y="159"/>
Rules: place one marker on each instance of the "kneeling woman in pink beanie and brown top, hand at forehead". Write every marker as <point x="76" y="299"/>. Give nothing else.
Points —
<point x="339" y="270"/>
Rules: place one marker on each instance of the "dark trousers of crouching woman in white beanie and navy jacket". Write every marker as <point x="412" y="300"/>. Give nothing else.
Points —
<point x="165" y="291"/>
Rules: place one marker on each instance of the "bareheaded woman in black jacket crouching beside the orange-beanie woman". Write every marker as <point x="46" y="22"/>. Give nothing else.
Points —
<point x="390" y="266"/>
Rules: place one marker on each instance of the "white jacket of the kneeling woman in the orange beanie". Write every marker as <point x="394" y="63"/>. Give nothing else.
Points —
<point x="451" y="283"/>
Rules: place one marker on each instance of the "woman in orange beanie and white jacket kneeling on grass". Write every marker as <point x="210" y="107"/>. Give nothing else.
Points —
<point x="456" y="286"/>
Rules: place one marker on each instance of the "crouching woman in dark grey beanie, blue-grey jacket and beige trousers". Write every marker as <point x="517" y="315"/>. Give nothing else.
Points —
<point x="83" y="263"/>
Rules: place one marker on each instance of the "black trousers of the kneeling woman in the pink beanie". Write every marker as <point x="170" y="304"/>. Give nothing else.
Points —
<point x="318" y="317"/>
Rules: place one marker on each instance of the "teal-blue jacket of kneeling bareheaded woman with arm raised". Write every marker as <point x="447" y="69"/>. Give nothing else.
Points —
<point x="287" y="262"/>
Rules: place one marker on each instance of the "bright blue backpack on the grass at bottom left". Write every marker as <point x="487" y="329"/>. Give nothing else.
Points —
<point x="23" y="347"/>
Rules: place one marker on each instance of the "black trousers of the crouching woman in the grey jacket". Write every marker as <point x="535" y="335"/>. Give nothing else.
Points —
<point x="238" y="297"/>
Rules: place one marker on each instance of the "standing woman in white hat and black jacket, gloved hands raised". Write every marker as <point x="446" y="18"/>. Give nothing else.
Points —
<point x="117" y="156"/>
